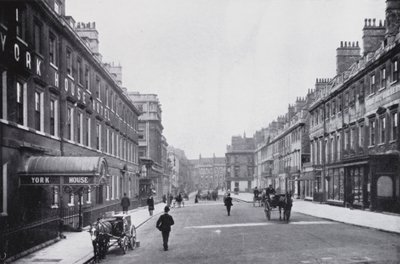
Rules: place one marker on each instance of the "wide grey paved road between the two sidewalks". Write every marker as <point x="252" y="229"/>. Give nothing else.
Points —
<point x="203" y="233"/>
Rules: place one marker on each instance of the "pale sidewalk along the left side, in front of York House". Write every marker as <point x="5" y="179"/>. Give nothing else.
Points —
<point x="77" y="247"/>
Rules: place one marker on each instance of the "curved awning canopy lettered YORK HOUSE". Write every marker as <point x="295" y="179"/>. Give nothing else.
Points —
<point x="64" y="170"/>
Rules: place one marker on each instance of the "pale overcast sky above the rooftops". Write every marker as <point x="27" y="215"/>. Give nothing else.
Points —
<point x="223" y="67"/>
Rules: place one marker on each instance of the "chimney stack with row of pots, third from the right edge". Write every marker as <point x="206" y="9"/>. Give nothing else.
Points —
<point x="346" y="55"/>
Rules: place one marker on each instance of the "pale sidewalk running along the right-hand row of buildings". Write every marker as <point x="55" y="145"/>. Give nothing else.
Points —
<point x="380" y="221"/>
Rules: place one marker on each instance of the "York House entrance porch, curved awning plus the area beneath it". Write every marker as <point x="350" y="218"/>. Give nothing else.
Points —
<point x="65" y="182"/>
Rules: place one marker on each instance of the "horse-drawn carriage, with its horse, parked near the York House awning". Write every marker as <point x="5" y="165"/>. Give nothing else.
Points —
<point x="116" y="230"/>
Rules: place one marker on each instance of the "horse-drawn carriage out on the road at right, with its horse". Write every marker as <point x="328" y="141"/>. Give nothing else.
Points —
<point x="282" y="201"/>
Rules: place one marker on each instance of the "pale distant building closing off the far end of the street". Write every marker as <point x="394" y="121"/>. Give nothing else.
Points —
<point x="209" y="173"/>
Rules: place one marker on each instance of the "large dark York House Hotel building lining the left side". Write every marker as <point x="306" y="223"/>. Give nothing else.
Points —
<point x="69" y="143"/>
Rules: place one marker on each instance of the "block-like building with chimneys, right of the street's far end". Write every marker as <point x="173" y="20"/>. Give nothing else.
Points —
<point x="240" y="164"/>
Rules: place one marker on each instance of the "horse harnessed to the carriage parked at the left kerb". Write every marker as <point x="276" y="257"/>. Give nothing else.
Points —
<point x="100" y="233"/>
